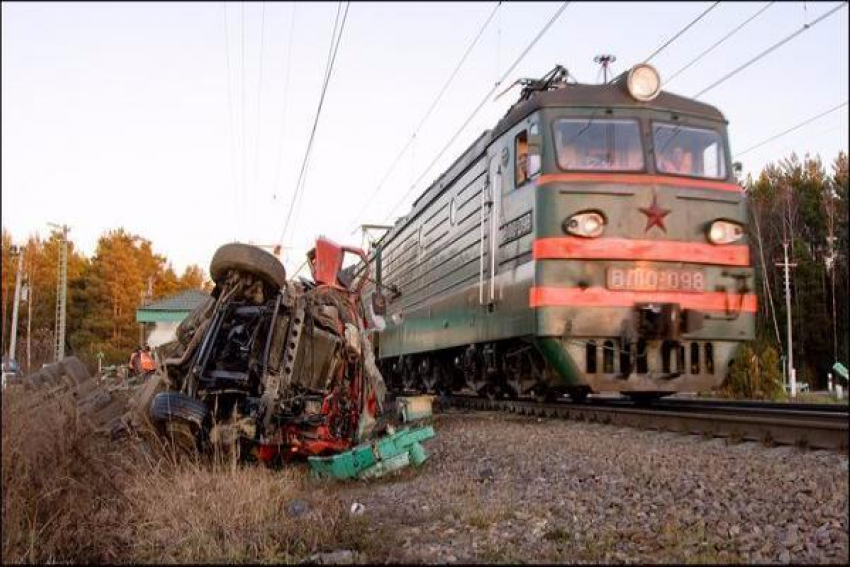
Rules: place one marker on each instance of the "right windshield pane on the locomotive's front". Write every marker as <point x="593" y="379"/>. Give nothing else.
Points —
<point x="695" y="152"/>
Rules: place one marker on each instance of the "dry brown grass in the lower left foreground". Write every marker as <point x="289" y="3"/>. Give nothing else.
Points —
<point x="69" y="496"/>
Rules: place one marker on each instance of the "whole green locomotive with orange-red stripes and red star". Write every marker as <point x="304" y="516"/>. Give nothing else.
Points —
<point x="594" y="240"/>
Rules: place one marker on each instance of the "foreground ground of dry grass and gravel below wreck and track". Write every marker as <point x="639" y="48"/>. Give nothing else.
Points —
<point x="496" y="488"/>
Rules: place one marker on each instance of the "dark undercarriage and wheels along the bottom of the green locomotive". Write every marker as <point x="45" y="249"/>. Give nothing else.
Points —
<point x="642" y="369"/>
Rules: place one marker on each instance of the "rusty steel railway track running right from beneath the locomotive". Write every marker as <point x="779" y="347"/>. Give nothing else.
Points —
<point x="819" y="426"/>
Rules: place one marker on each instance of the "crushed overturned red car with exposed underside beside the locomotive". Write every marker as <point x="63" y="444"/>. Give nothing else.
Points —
<point x="274" y="367"/>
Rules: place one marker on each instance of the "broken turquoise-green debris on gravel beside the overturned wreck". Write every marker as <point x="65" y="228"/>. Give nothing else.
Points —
<point x="375" y="459"/>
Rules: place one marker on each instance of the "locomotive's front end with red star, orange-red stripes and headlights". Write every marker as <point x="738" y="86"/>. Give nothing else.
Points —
<point x="643" y="280"/>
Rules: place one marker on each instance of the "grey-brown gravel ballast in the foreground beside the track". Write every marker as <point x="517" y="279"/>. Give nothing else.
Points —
<point x="505" y="488"/>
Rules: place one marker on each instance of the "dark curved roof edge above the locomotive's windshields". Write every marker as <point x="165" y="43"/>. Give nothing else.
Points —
<point x="613" y="94"/>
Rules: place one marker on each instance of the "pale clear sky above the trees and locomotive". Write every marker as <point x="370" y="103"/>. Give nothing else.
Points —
<point x="188" y="123"/>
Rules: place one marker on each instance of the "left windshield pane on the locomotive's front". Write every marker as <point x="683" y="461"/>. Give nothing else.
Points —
<point x="593" y="144"/>
